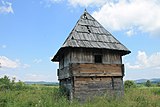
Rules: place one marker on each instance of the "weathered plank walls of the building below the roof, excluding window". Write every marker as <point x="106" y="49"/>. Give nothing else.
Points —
<point x="82" y="77"/>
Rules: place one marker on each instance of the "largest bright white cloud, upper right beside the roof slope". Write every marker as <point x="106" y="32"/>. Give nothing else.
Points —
<point x="125" y="14"/>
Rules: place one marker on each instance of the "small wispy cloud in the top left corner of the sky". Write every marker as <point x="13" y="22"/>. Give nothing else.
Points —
<point x="6" y="7"/>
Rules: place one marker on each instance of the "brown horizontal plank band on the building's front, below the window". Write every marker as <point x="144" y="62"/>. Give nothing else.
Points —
<point x="96" y="69"/>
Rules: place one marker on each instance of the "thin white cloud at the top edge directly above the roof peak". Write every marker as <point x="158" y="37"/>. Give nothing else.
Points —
<point x="87" y="3"/>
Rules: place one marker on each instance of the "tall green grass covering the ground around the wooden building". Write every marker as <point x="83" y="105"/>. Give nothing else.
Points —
<point x="49" y="96"/>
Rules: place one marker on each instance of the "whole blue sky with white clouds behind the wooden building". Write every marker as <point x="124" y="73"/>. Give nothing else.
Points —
<point x="32" y="31"/>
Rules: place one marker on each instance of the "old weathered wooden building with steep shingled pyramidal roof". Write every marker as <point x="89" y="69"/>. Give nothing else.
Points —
<point x="90" y="61"/>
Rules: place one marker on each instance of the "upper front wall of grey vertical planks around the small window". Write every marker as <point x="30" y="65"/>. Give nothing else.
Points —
<point x="87" y="56"/>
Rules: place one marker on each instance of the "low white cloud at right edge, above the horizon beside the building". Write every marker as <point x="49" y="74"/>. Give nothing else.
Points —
<point x="144" y="61"/>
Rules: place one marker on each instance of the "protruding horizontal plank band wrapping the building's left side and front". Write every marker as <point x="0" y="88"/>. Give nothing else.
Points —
<point x="89" y="70"/>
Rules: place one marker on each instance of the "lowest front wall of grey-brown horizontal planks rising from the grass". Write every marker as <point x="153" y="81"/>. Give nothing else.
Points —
<point x="96" y="86"/>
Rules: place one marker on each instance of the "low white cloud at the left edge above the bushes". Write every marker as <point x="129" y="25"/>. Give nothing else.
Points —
<point x="11" y="64"/>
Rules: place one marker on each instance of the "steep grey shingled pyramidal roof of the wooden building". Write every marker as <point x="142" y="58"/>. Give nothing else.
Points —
<point x="89" y="33"/>
